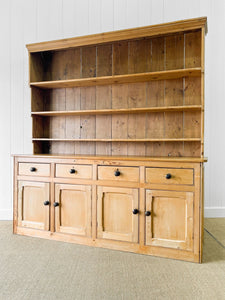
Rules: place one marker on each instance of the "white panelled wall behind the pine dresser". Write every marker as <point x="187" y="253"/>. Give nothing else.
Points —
<point x="28" y="21"/>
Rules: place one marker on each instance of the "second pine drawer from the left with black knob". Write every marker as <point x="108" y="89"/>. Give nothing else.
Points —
<point x="73" y="171"/>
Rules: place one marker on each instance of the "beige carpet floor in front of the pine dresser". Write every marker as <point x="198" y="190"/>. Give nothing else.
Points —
<point x="36" y="269"/>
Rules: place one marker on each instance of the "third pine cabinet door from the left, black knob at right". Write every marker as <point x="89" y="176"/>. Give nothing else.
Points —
<point x="115" y="217"/>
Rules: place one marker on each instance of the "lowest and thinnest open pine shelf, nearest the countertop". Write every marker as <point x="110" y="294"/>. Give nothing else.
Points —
<point x="117" y="140"/>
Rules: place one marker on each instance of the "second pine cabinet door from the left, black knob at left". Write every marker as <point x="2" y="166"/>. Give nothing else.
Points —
<point x="73" y="213"/>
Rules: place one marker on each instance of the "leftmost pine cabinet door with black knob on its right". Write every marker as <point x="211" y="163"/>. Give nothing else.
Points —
<point x="31" y="209"/>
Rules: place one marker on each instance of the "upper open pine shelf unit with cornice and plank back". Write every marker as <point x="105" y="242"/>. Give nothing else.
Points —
<point x="131" y="92"/>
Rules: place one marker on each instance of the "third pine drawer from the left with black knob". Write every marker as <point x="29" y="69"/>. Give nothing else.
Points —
<point x="118" y="173"/>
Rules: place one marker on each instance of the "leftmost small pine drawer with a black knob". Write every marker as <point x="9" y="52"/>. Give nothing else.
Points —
<point x="34" y="169"/>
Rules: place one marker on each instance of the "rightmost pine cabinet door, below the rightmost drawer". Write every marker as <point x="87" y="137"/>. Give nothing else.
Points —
<point x="170" y="223"/>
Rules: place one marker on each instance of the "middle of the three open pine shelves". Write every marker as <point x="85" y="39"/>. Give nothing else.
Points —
<point x="118" y="111"/>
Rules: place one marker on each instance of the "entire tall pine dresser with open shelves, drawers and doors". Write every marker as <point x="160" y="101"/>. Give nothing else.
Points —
<point x="118" y="134"/>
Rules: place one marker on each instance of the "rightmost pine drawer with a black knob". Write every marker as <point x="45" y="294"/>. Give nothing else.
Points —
<point x="169" y="176"/>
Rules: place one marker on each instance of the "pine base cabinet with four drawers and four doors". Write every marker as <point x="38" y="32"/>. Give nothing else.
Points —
<point x="155" y="215"/>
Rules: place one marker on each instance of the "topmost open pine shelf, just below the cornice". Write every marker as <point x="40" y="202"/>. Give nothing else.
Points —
<point x="118" y="79"/>
